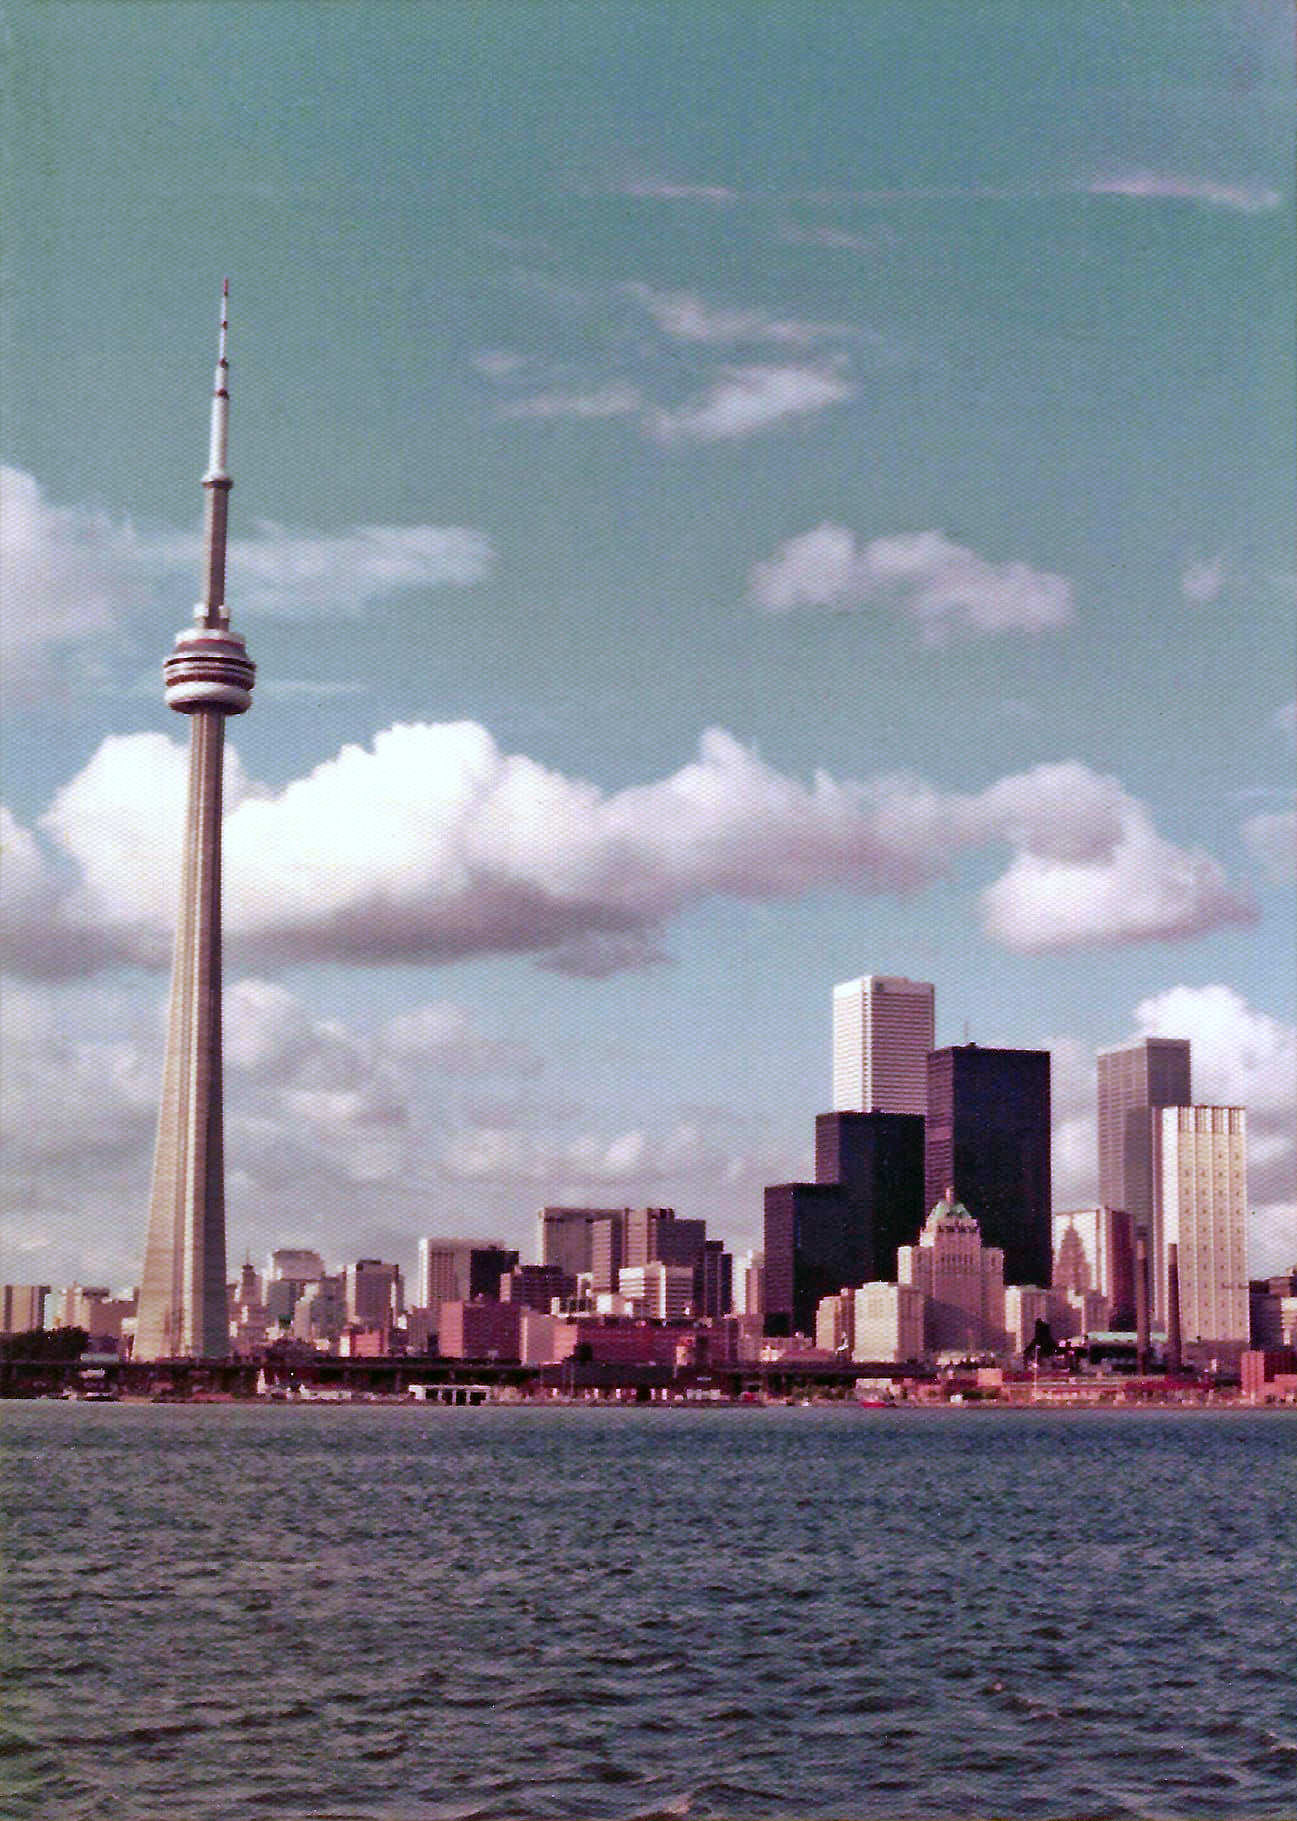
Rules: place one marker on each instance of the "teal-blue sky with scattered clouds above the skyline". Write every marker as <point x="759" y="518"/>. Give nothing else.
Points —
<point x="728" y="498"/>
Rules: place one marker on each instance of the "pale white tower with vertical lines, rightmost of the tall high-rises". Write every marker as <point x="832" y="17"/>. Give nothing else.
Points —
<point x="1201" y="1206"/>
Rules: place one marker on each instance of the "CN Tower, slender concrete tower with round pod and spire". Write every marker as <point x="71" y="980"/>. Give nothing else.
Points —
<point x="209" y="677"/>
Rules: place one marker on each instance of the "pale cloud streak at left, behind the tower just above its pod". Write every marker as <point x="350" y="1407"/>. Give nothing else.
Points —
<point x="79" y="571"/>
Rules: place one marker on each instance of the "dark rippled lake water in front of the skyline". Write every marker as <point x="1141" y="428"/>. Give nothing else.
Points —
<point x="220" y="1612"/>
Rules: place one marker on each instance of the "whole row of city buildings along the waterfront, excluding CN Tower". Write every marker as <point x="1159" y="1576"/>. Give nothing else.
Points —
<point x="928" y="1237"/>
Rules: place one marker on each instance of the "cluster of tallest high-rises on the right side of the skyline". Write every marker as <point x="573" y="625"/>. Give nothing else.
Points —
<point x="932" y="1208"/>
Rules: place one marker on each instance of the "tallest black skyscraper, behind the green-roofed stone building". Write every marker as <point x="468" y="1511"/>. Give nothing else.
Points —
<point x="988" y="1135"/>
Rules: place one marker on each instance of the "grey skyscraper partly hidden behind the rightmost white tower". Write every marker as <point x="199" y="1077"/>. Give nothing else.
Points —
<point x="1132" y="1079"/>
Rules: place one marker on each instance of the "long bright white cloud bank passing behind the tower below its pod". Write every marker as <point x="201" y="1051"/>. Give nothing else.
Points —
<point x="433" y="844"/>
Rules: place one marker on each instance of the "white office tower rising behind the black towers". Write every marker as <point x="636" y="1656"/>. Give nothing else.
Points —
<point x="883" y="1032"/>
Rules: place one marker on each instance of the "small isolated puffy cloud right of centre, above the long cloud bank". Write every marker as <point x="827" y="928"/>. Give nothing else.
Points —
<point x="941" y="585"/>
